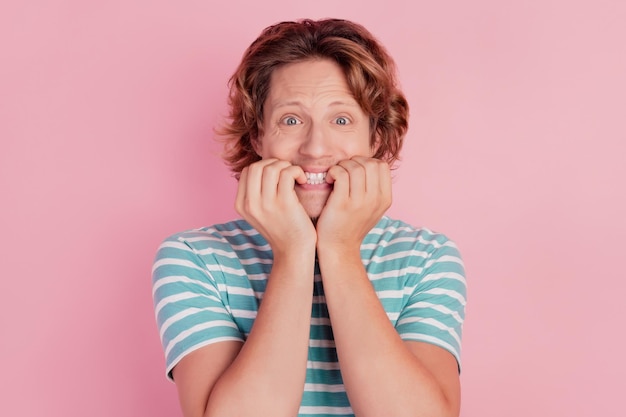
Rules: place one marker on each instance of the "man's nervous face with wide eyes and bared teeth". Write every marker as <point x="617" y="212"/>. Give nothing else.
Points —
<point x="312" y="120"/>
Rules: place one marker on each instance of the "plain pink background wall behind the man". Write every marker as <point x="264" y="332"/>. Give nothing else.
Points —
<point x="516" y="150"/>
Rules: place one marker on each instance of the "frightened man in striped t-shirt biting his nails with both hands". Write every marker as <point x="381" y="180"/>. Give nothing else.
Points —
<point x="315" y="303"/>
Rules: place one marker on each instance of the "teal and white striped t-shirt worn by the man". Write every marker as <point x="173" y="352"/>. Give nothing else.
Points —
<point x="208" y="283"/>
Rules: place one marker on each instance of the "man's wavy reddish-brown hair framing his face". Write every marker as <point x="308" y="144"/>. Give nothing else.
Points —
<point x="369" y="70"/>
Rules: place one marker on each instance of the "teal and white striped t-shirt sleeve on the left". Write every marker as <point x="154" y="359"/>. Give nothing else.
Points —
<point x="189" y="308"/>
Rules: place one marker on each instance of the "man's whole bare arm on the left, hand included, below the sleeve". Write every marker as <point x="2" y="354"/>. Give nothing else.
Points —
<point x="270" y="367"/>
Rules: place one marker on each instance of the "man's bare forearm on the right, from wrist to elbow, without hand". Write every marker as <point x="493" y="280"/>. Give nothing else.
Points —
<point x="381" y="375"/>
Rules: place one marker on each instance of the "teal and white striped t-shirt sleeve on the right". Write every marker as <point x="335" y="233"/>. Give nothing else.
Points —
<point x="436" y="308"/>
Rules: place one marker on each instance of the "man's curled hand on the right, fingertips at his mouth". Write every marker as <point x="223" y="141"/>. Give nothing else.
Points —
<point x="361" y="195"/>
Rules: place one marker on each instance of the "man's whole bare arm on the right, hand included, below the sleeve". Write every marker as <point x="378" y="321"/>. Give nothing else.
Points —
<point x="383" y="375"/>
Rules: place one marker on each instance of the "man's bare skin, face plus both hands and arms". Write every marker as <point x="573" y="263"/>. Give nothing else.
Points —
<point x="313" y="124"/>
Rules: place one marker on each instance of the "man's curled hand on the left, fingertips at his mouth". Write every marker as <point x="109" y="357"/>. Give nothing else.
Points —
<point x="267" y="200"/>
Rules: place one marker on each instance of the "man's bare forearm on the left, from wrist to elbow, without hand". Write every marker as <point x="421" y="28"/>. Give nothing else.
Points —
<point x="268" y="375"/>
